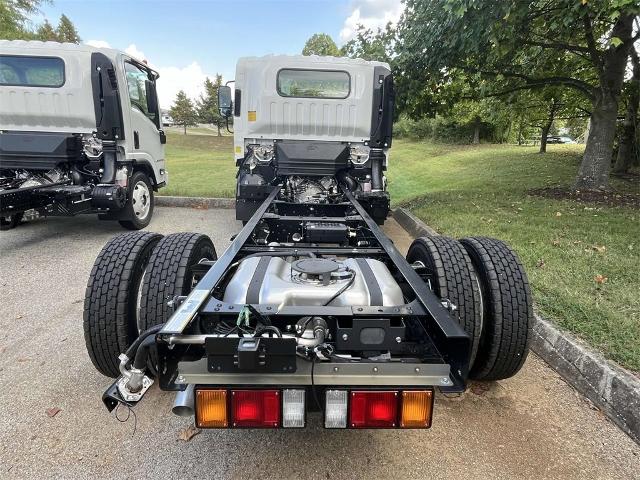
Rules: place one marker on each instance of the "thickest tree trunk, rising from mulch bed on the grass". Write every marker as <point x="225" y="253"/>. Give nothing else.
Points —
<point x="593" y="173"/>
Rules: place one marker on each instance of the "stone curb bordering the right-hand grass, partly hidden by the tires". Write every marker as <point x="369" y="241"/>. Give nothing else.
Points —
<point x="614" y="390"/>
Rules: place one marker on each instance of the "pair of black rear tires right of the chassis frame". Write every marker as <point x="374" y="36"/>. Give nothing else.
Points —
<point x="486" y="282"/>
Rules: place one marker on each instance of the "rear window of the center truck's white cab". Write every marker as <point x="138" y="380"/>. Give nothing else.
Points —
<point x="313" y="83"/>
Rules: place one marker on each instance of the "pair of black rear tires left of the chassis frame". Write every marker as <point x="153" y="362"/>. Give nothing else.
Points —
<point x="134" y="277"/>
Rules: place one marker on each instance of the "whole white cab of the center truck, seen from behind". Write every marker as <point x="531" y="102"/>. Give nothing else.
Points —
<point x="310" y="119"/>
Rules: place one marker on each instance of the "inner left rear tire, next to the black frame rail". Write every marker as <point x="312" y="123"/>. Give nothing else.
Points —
<point x="170" y="274"/>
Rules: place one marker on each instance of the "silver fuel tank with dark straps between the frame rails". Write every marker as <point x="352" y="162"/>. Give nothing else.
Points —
<point x="273" y="280"/>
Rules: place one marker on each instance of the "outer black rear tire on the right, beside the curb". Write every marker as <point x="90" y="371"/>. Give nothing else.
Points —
<point x="508" y="310"/>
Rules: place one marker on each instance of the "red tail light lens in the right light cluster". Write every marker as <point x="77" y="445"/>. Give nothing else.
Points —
<point x="373" y="409"/>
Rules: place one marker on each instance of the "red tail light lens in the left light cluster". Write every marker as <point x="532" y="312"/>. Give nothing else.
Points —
<point x="255" y="408"/>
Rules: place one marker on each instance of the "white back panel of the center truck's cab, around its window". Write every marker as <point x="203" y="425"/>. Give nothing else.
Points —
<point x="265" y="113"/>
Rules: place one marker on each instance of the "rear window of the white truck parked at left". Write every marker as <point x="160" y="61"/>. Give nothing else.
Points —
<point x="25" y="71"/>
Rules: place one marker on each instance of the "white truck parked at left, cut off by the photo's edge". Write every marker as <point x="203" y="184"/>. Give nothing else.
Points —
<point x="80" y="132"/>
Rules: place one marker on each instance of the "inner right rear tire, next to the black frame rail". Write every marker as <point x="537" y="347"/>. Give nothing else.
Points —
<point x="453" y="278"/>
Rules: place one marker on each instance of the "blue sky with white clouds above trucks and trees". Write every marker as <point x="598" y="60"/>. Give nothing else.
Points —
<point x="189" y="40"/>
